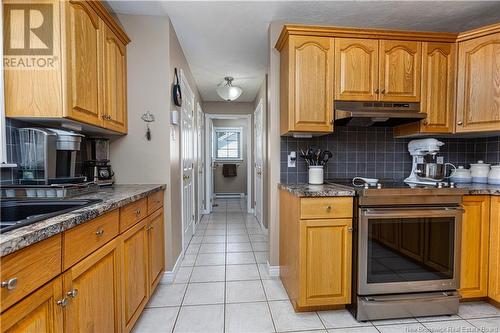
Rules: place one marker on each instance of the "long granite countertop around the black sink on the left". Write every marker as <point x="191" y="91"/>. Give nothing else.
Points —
<point x="112" y="198"/>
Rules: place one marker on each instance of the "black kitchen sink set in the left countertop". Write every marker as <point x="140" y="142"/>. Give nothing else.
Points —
<point x="19" y="213"/>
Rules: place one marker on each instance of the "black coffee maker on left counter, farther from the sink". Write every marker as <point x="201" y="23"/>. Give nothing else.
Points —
<point x="96" y="165"/>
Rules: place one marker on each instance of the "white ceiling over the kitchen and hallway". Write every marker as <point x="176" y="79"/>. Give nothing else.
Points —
<point x="221" y="38"/>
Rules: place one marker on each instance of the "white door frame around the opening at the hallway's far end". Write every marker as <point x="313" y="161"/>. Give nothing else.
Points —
<point x="209" y="117"/>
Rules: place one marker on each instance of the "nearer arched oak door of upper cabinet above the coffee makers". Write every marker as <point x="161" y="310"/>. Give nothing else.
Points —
<point x="83" y="50"/>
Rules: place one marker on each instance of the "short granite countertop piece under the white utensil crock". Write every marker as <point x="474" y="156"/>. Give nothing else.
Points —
<point x="325" y="190"/>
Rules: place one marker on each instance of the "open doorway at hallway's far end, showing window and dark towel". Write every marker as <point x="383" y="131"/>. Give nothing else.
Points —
<point x="229" y="159"/>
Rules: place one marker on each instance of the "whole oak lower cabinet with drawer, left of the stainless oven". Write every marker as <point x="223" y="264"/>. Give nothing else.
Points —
<point x="315" y="254"/>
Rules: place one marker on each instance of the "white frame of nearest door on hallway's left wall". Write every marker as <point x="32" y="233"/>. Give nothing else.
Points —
<point x="185" y="83"/>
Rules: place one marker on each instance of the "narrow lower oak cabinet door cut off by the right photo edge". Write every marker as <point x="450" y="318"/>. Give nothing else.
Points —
<point x="494" y="271"/>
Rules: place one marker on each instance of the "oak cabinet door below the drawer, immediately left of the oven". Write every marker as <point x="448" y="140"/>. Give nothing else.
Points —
<point x="325" y="262"/>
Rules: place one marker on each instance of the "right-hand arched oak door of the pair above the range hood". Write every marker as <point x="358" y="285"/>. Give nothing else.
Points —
<point x="399" y="71"/>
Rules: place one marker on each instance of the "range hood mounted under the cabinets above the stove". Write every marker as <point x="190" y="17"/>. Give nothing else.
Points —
<point x="367" y="114"/>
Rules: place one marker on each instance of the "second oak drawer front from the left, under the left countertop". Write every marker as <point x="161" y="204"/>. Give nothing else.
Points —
<point x="81" y="241"/>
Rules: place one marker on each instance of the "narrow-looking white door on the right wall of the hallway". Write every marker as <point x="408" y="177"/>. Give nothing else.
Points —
<point x="258" y="167"/>
